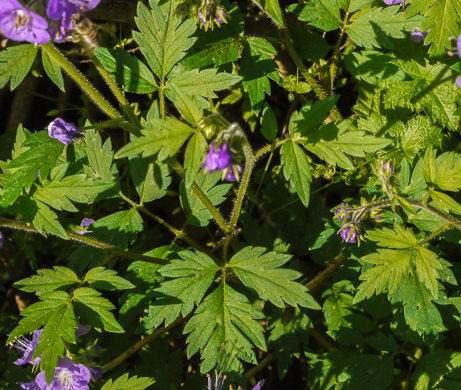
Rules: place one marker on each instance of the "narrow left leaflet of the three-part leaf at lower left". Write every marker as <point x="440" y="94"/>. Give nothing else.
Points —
<point x="48" y="280"/>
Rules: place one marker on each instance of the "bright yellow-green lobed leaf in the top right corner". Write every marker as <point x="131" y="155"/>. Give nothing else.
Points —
<point x="442" y="18"/>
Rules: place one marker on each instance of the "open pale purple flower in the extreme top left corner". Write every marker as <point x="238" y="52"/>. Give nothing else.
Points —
<point x="19" y="24"/>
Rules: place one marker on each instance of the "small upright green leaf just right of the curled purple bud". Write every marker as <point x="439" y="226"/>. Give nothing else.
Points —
<point x="100" y="158"/>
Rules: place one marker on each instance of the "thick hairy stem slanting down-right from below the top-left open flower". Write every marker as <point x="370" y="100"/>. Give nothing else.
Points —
<point x="81" y="80"/>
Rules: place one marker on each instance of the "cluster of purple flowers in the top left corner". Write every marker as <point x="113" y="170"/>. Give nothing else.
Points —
<point x="20" y="24"/>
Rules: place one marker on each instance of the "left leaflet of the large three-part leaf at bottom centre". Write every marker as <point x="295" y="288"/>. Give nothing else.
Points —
<point x="193" y="276"/>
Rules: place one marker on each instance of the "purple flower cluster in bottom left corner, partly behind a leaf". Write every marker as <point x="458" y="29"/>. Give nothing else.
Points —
<point x="67" y="375"/>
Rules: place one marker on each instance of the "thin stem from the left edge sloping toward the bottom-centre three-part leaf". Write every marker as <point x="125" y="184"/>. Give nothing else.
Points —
<point x="4" y="222"/>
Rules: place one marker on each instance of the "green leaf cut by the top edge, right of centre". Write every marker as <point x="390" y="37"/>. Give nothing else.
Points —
<point x="323" y="14"/>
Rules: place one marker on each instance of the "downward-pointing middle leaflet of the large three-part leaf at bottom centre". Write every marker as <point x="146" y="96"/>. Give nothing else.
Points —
<point x="226" y="319"/>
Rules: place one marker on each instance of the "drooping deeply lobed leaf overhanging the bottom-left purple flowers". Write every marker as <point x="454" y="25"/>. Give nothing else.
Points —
<point x="54" y="312"/>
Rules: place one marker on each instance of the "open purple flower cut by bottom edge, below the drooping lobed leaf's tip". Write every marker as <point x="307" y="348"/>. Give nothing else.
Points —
<point x="67" y="376"/>
